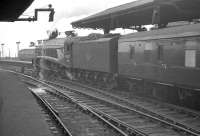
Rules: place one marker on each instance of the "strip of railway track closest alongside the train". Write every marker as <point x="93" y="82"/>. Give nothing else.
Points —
<point x="184" y="117"/>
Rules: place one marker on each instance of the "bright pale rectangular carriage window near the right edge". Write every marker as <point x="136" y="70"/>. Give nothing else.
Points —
<point x="190" y="58"/>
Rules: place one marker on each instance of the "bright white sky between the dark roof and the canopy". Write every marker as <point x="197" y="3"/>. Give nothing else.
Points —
<point x="66" y="11"/>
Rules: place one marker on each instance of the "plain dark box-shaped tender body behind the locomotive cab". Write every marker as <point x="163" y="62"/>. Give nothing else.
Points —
<point x="96" y="55"/>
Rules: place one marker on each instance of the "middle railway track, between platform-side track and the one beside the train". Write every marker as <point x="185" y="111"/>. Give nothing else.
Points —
<point x="143" y="122"/>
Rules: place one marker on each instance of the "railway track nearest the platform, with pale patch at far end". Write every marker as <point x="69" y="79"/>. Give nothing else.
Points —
<point x="78" y="118"/>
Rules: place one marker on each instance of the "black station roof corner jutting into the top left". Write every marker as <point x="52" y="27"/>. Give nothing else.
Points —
<point x="10" y="10"/>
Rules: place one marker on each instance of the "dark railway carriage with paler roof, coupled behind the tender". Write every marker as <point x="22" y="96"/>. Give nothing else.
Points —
<point x="164" y="62"/>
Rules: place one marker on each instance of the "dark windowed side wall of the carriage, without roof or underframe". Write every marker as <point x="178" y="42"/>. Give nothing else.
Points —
<point x="175" y="60"/>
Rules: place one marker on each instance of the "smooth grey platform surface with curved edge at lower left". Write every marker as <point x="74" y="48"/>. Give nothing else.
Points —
<point x="20" y="115"/>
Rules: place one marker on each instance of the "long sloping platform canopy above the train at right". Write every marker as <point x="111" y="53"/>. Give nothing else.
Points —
<point x="142" y="12"/>
